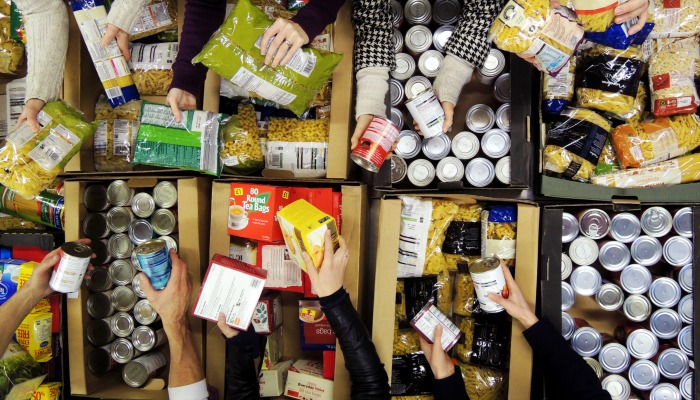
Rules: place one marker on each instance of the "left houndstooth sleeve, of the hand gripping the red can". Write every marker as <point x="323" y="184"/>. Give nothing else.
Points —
<point x="374" y="32"/>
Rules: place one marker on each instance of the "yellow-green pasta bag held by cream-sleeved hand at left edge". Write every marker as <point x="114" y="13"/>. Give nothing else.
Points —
<point x="29" y="161"/>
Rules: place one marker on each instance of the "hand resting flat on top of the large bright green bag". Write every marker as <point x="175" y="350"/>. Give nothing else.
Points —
<point x="281" y="40"/>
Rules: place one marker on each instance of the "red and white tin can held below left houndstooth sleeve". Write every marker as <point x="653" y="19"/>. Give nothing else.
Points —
<point x="375" y="144"/>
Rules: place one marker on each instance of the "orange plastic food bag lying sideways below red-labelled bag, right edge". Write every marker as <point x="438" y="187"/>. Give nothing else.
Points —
<point x="652" y="142"/>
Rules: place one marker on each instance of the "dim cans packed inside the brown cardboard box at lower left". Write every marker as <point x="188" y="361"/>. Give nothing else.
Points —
<point x="124" y="327"/>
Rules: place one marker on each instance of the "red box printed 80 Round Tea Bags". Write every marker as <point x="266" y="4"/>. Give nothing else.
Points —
<point x="252" y="211"/>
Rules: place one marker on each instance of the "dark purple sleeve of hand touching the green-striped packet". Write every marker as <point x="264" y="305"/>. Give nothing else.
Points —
<point x="202" y="19"/>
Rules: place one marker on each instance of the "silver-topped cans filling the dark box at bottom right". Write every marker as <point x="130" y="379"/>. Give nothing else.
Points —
<point x="638" y="265"/>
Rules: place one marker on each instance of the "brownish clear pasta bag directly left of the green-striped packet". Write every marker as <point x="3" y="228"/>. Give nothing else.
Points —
<point x="114" y="139"/>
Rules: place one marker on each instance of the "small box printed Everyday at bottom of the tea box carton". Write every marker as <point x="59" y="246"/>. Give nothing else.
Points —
<point x="305" y="381"/>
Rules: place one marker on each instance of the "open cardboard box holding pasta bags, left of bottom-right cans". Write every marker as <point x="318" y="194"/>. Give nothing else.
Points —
<point x="520" y="375"/>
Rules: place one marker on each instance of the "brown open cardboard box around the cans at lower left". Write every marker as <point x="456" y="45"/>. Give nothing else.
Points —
<point x="193" y="218"/>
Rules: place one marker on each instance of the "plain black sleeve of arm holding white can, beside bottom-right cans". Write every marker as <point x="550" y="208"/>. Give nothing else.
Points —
<point x="566" y="374"/>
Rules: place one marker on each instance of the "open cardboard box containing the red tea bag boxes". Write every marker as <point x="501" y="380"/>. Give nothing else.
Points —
<point x="354" y="217"/>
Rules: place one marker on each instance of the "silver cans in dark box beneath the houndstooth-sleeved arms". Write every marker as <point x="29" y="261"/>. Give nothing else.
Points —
<point x="477" y="156"/>
